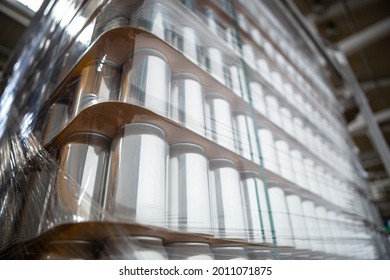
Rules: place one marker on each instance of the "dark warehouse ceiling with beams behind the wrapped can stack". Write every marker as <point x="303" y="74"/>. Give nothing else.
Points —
<point x="360" y="28"/>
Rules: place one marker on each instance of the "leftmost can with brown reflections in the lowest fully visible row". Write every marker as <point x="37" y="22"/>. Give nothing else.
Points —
<point x="81" y="180"/>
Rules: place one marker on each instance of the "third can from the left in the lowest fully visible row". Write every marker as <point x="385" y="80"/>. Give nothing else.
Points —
<point x="188" y="192"/>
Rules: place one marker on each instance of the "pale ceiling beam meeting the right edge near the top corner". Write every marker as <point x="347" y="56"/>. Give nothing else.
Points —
<point x="365" y="37"/>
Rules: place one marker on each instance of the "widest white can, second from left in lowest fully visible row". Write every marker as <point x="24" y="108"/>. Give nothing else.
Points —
<point x="138" y="175"/>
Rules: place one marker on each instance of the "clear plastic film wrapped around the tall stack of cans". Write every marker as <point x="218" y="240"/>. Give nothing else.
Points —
<point x="150" y="130"/>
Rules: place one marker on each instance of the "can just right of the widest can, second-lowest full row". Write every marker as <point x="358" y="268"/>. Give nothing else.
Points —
<point x="187" y="102"/>
